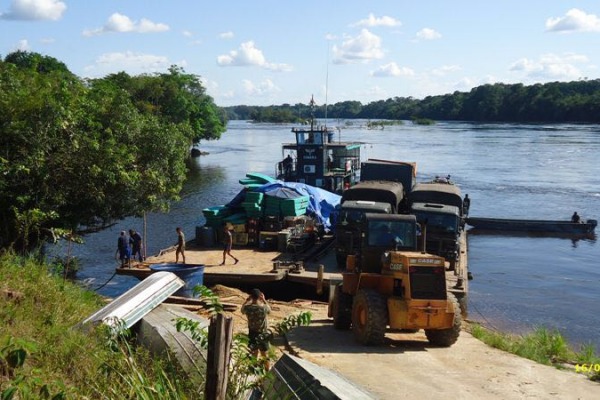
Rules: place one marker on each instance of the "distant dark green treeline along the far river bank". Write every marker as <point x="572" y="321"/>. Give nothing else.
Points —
<point x="554" y="102"/>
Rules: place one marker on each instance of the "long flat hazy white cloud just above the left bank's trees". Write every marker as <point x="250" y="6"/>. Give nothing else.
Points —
<point x="131" y="62"/>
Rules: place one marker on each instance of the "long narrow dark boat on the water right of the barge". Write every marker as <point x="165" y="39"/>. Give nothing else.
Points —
<point x="533" y="226"/>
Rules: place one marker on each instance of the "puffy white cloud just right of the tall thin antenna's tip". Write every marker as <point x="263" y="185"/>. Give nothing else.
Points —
<point x="362" y="48"/>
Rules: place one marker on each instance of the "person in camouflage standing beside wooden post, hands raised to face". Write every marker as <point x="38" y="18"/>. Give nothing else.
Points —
<point x="257" y="309"/>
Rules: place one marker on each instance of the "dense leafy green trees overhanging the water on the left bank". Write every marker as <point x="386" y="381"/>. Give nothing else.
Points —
<point x="77" y="154"/>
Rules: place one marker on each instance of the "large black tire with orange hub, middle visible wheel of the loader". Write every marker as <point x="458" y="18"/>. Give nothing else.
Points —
<point x="369" y="317"/>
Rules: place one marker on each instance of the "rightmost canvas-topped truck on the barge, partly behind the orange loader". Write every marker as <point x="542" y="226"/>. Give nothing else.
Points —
<point x="439" y="207"/>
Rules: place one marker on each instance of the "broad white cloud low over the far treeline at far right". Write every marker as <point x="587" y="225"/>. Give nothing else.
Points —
<point x="551" y="66"/>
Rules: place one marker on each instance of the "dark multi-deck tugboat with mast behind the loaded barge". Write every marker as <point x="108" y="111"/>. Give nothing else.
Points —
<point x="316" y="159"/>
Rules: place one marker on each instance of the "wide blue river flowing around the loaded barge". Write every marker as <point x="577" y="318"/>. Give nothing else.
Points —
<point x="508" y="170"/>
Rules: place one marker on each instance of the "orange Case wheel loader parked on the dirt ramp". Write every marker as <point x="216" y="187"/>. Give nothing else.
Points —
<point x="389" y="283"/>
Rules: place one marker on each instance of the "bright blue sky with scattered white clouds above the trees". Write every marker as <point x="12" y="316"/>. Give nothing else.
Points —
<point x="274" y="52"/>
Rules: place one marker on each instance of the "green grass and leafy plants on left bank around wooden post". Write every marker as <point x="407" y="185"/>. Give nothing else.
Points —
<point x="43" y="356"/>
